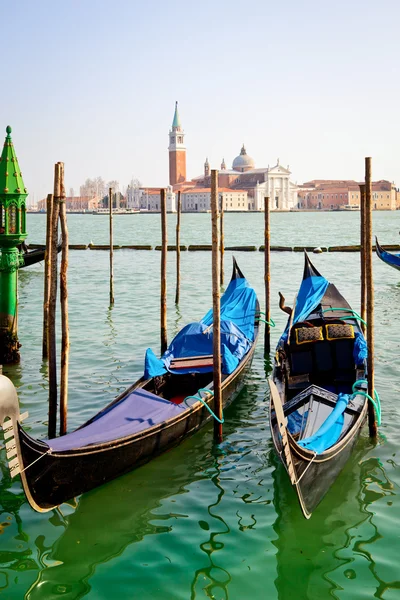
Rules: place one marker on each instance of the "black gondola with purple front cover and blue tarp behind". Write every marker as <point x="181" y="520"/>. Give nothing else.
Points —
<point x="155" y="413"/>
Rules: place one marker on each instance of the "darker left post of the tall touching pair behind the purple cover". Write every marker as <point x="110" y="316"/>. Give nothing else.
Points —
<point x="52" y="348"/>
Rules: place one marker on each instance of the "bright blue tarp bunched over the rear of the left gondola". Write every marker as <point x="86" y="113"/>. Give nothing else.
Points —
<point x="238" y="305"/>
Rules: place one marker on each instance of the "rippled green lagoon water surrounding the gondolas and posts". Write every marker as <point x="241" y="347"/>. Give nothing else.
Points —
<point x="201" y="521"/>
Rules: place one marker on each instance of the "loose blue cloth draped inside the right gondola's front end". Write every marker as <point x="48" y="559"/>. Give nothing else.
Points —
<point x="330" y="430"/>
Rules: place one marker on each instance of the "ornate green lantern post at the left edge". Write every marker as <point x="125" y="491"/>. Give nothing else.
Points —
<point x="12" y="233"/>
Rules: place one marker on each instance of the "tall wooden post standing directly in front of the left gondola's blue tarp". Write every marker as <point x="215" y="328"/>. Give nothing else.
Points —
<point x="216" y="280"/>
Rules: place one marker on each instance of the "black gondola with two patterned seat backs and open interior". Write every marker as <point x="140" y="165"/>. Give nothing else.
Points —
<point x="318" y="403"/>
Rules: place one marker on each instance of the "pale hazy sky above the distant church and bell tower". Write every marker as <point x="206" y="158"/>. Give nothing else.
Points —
<point x="93" y="84"/>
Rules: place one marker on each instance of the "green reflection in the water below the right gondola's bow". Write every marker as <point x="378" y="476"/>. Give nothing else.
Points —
<point x="322" y="556"/>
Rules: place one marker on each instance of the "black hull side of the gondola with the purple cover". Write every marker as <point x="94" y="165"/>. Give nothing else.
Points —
<point x="57" y="477"/>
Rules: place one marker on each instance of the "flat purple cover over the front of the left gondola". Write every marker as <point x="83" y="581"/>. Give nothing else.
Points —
<point x="137" y="411"/>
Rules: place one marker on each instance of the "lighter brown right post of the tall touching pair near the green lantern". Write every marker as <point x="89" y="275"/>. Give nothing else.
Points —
<point x="64" y="307"/>
